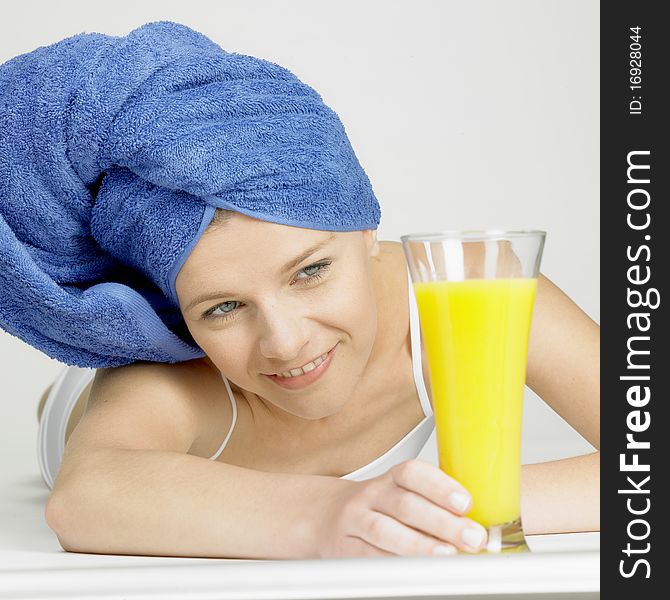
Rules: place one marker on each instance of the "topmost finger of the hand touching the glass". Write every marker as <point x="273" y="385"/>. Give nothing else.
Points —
<point x="434" y="484"/>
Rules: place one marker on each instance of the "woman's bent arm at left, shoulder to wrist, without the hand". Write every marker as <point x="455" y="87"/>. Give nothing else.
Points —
<point x="126" y="484"/>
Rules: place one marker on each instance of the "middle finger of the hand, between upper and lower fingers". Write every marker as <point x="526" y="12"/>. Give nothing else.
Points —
<point x="421" y="514"/>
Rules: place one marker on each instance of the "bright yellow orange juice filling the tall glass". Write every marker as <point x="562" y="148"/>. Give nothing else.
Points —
<point x="476" y="336"/>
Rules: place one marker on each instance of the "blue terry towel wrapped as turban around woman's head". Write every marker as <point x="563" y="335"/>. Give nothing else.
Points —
<point x="115" y="153"/>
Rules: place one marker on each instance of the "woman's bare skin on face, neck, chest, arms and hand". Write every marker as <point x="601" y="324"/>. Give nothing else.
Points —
<point x="364" y="403"/>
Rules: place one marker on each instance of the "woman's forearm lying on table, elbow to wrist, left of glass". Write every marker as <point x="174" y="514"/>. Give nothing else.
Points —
<point x="163" y="503"/>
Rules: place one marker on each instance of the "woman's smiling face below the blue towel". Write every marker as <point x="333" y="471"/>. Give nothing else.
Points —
<point x="255" y="311"/>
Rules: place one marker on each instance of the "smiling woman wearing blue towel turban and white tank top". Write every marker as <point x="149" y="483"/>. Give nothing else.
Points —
<point x="162" y="132"/>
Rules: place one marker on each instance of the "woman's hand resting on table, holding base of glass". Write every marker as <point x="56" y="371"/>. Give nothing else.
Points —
<point x="410" y="510"/>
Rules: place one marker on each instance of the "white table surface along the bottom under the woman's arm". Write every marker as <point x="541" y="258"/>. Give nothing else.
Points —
<point x="565" y="566"/>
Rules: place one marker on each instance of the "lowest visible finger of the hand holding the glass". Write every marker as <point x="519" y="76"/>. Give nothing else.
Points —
<point x="384" y="532"/>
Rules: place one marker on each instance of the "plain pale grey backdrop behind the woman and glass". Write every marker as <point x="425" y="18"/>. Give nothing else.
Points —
<point x="469" y="114"/>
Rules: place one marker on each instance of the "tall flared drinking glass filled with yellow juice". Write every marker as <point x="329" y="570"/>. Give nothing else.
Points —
<point x="475" y="292"/>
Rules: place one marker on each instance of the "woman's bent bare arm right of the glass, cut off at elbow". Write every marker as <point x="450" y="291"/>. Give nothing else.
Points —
<point x="564" y="370"/>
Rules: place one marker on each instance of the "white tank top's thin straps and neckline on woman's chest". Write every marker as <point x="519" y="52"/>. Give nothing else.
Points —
<point x="409" y="446"/>
